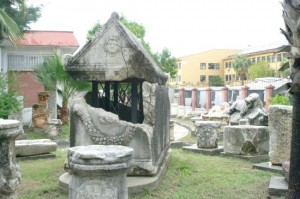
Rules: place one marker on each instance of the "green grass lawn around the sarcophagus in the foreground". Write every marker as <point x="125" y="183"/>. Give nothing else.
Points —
<point x="190" y="176"/>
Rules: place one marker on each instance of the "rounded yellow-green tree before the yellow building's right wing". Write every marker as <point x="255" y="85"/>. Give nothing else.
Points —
<point x="260" y="69"/>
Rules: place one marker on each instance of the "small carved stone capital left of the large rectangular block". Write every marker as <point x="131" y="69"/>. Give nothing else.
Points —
<point x="207" y="133"/>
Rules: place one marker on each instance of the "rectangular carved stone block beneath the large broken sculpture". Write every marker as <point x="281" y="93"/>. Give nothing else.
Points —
<point x="246" y="140"/>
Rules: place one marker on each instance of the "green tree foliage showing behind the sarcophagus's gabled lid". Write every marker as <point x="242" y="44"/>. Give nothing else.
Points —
<point x="163" y="59"/>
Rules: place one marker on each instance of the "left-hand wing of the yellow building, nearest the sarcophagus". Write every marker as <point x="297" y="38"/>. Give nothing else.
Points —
<point x="196" y="69"/>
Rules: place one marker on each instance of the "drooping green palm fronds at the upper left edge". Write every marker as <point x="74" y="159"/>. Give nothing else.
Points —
<point x="9" y="28"/>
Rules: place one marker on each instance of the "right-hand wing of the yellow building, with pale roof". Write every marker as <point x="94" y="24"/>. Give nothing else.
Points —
<point x="272" y="54"/>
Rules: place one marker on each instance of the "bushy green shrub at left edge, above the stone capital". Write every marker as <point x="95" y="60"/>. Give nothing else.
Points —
<point x="8" y="99"/>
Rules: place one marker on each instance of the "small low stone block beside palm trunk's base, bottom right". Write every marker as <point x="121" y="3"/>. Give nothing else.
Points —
<point x="278" y="186"/>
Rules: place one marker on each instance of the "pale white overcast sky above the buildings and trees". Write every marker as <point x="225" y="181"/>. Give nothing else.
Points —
<point x="183" y="26"/>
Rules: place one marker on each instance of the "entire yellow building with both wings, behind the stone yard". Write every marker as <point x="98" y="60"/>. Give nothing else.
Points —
<point x="196" y="69"/>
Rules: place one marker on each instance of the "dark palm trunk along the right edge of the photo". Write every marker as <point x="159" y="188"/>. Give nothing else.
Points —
<point x="291" y="16"/>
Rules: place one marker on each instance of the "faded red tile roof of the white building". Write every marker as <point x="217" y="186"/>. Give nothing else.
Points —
<point x="49" y="38"/>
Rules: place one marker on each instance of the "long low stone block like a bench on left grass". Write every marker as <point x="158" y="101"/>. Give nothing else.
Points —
<point x="34" y="147"/>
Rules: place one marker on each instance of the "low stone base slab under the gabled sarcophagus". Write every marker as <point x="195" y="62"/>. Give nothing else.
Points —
<point x="136" y="184"/>
